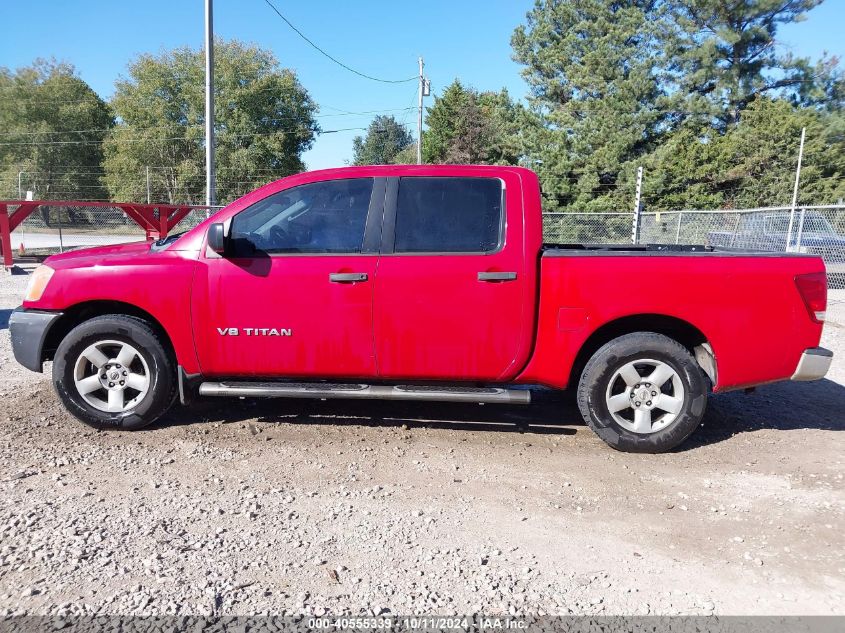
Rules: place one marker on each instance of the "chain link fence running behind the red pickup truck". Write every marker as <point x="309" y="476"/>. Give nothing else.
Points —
<point x="815" y="229"/>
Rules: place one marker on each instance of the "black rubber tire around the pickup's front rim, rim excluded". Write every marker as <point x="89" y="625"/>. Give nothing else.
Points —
<point x="161" y="392"/>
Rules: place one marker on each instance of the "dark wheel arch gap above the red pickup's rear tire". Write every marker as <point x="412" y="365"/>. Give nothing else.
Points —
<point x="684" y="332"/>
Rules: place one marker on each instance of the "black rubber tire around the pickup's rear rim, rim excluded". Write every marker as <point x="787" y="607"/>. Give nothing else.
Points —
<point x="594" y="387"/>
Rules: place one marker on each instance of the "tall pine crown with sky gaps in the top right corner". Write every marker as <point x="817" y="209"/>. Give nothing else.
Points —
<point x="726" y="56"/>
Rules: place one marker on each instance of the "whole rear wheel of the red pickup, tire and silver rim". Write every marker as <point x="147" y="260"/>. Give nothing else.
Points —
<point x="642" y="393"/>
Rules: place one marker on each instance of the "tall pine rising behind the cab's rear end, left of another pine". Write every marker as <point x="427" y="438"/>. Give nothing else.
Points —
<point x="595" y="69"/>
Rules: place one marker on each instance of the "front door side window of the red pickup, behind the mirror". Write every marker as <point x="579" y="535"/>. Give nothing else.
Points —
<point x="320" y="217"/>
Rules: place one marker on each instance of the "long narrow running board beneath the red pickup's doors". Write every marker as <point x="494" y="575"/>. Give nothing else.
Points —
<point x="359" y="391"/>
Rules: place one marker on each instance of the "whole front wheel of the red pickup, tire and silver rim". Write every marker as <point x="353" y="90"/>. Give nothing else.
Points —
<point x="114" y="372"/>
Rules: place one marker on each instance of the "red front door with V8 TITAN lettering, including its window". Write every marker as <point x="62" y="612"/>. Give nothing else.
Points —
<point x="293" y="295"/>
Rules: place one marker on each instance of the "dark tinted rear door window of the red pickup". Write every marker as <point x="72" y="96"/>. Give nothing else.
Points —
<point x="448" y="215"/>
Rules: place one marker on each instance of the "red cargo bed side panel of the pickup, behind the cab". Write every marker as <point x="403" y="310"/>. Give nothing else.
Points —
<point x="745" y="304"/>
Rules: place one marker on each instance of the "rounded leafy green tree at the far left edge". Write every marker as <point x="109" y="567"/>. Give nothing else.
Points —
<point x="53" y="125"/>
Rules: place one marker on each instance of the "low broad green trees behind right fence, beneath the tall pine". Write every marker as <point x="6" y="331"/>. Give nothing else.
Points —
<point x="753" y="164"/>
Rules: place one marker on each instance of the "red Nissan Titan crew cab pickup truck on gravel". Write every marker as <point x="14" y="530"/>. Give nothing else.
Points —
<point x="417" y="283"/>
